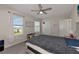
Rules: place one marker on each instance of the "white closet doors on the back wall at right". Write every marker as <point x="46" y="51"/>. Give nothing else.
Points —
<point x="65" y="27"/>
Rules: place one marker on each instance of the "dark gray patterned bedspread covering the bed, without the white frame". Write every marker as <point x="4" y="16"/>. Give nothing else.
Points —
<point x="53" y="44"/>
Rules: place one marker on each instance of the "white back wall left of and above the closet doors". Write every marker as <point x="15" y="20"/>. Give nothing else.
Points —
<point x="52" y="26"/>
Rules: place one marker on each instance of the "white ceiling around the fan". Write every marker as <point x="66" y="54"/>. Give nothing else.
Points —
<point x="57" y="9"/>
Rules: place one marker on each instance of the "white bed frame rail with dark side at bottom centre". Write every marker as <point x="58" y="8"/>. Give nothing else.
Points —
<point x="35" y="49"/>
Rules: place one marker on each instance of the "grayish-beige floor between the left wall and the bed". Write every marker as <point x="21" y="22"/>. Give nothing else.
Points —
<point x="17" y="49"/>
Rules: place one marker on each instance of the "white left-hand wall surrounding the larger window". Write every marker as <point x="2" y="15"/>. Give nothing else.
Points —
<point x="6" y="31"/>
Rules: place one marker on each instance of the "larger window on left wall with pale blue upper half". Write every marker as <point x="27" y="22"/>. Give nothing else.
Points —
<point x="17" y="25"/>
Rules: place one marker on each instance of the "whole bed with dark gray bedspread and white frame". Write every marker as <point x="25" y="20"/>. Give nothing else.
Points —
<point x="50" y="44"/>
